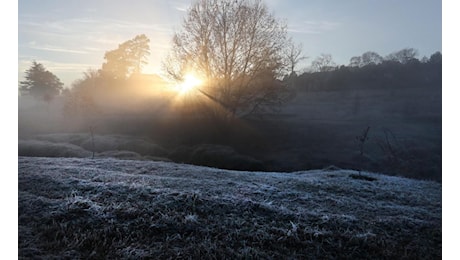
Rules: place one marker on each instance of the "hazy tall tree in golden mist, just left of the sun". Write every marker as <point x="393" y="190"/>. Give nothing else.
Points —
<point x="128" y="58"/>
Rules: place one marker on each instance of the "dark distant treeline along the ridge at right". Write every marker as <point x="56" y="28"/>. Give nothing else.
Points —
<point x="394" y="71"/>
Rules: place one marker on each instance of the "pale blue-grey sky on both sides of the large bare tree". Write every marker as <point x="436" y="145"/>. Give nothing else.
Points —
<point x="69" y="37"/>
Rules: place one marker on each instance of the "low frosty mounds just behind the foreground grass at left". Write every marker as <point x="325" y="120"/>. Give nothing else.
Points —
<point x="82" y="145"/>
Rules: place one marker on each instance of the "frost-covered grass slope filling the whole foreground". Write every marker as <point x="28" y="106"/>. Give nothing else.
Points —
<point x="78" y="208"/>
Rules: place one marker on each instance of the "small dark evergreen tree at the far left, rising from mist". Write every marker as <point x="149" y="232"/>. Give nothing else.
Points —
<point x="40" y="83"/>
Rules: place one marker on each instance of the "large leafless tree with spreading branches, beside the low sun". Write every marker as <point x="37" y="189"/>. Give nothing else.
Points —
<point x="238" y="48"/>
